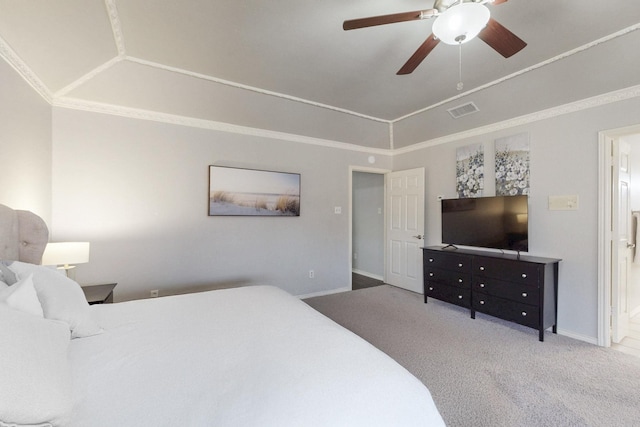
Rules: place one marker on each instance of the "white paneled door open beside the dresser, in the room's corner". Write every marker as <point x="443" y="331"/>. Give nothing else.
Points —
<point x="405" y="228"/>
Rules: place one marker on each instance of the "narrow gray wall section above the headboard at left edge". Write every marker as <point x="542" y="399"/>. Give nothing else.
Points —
<point x="25" y="145"/>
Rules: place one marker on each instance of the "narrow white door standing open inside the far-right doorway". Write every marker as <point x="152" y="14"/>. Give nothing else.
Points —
<point x="622" y="248"/>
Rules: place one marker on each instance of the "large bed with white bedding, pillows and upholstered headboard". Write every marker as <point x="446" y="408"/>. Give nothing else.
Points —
<point x="249" y="356"/>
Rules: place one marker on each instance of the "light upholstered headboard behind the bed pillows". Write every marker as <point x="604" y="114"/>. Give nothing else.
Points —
<point x="23" y="235"/>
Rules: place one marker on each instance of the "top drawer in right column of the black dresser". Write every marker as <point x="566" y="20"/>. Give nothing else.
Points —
<point x="507" y="270"/>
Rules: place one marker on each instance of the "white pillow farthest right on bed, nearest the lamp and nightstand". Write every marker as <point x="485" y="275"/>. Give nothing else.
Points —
<point x="61" y="298"/>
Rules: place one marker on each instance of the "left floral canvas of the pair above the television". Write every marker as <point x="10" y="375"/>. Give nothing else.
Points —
<point x="470" y="171"/>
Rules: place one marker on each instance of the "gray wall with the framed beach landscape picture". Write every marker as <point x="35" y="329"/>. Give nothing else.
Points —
<point x="137" y="190"/>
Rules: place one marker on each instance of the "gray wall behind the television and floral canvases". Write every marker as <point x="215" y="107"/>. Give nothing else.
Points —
<point x="564" y="161"/>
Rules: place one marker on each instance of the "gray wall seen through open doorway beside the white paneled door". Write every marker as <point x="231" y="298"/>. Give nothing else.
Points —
<point x="368" y="224"/>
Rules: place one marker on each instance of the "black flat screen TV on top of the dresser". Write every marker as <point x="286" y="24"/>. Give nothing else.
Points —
<point x="500" y="222"/>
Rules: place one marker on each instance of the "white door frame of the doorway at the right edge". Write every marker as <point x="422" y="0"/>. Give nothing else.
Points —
<point x="605" y="238"/>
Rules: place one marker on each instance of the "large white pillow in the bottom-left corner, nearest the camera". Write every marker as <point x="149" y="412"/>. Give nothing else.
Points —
<point x="35" y="375"/>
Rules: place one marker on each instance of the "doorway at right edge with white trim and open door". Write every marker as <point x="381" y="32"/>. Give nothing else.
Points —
<point x="618" y="254"/>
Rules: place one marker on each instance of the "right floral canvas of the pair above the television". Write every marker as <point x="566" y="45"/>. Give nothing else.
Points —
<point x="512" y="165"/>
